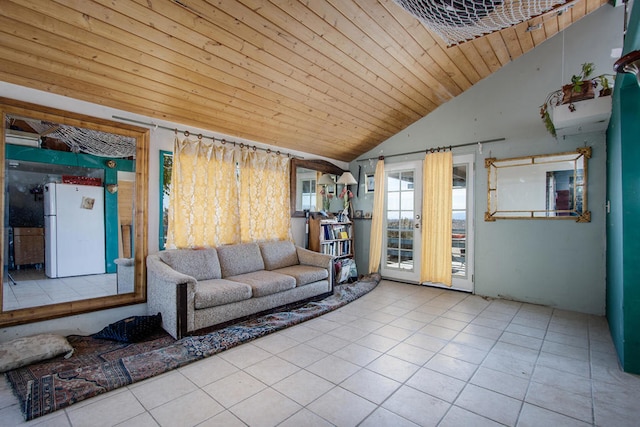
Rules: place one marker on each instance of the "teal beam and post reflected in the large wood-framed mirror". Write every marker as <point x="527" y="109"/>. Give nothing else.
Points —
<point x="30" y="154"/>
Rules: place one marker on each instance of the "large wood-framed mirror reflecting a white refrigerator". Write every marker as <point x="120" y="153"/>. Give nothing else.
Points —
<point x="75" y="213"/>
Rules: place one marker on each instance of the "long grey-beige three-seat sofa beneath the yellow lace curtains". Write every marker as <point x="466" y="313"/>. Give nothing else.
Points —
<point x="197" y="289"/>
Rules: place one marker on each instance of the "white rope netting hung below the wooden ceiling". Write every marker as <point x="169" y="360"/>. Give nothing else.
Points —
<point x="457" y="21"/>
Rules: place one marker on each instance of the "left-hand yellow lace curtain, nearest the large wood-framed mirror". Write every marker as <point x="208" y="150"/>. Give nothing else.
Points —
<point x="204" y="195"/>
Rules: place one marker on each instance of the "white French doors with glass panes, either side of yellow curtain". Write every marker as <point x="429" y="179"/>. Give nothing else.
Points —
<point x="403" y="223"/>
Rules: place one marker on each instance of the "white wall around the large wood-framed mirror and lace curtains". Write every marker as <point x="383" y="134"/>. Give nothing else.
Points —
<point x="161" y="139"/>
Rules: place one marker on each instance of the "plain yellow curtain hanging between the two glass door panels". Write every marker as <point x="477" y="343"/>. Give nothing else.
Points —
<point x="436" y="214"/>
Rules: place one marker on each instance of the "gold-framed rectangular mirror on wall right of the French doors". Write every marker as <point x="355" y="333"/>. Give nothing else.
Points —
<point x="552" y="186"/>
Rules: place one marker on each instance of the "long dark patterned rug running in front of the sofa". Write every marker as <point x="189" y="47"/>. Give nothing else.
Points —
<point x="98" y="366"/>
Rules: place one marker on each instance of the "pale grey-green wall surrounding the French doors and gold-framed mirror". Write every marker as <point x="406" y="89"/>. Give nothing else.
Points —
<point x="555" y="263"/>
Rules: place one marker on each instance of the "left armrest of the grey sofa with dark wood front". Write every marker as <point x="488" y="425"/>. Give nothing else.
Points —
<point x="172" y="294"/>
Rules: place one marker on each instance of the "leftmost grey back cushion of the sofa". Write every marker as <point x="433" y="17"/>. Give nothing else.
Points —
<point x="201" y="264"/>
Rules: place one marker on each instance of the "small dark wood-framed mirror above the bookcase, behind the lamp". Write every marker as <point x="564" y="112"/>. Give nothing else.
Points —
<point x="306" y="184"/>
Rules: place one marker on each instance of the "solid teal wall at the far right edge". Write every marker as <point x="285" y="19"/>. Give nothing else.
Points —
<point x="623" y="222"/>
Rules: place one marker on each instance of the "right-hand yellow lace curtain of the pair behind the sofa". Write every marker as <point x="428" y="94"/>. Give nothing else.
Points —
<point x="264" y="197"/>
